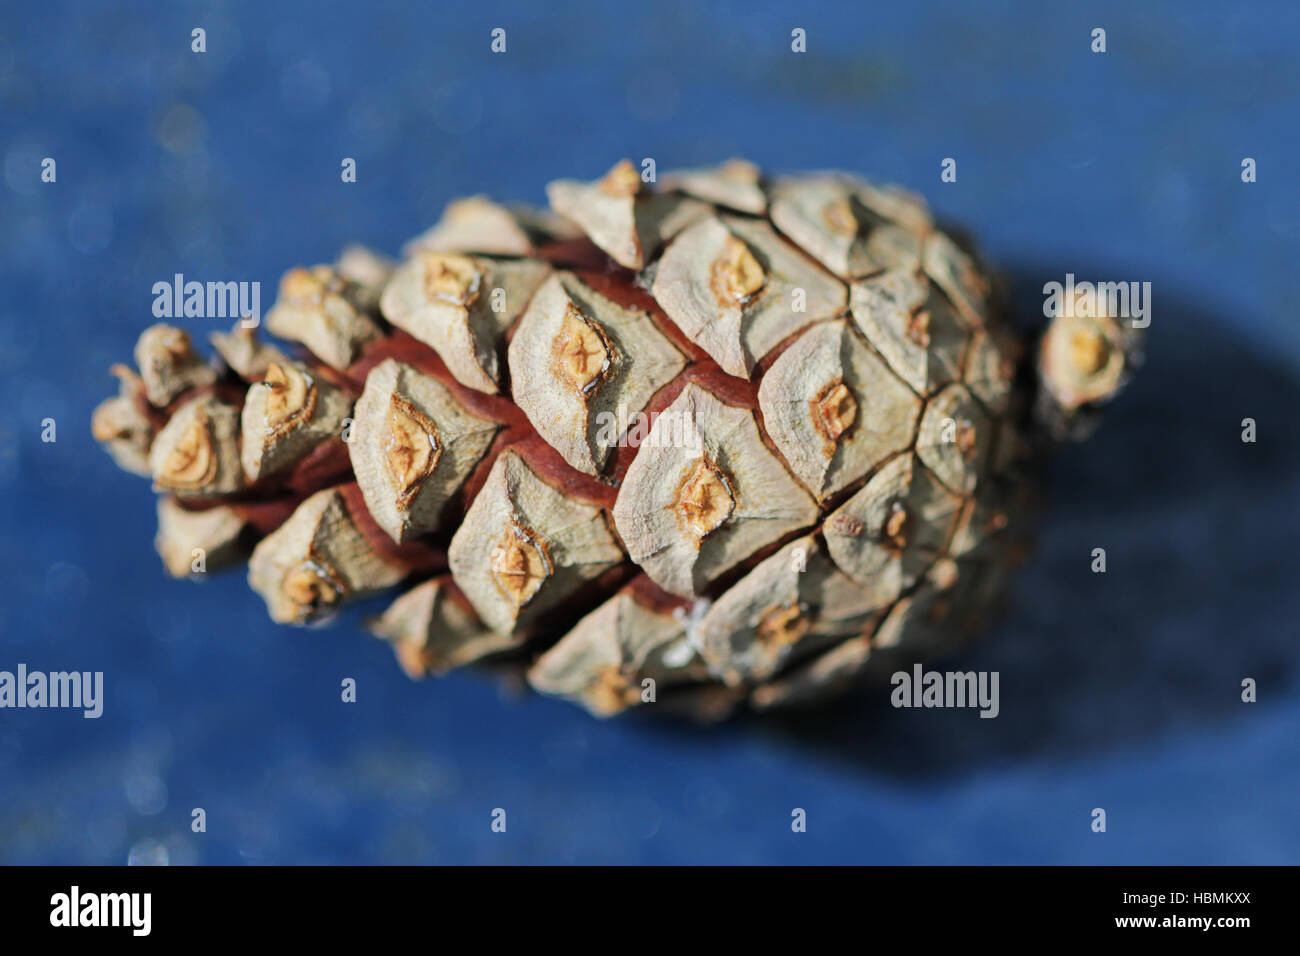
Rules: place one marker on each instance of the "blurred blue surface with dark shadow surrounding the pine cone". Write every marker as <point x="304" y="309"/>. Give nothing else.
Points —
<point x="1119" y="691"/>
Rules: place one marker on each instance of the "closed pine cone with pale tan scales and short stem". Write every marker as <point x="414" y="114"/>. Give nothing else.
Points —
<point x="717" y="442"/>
